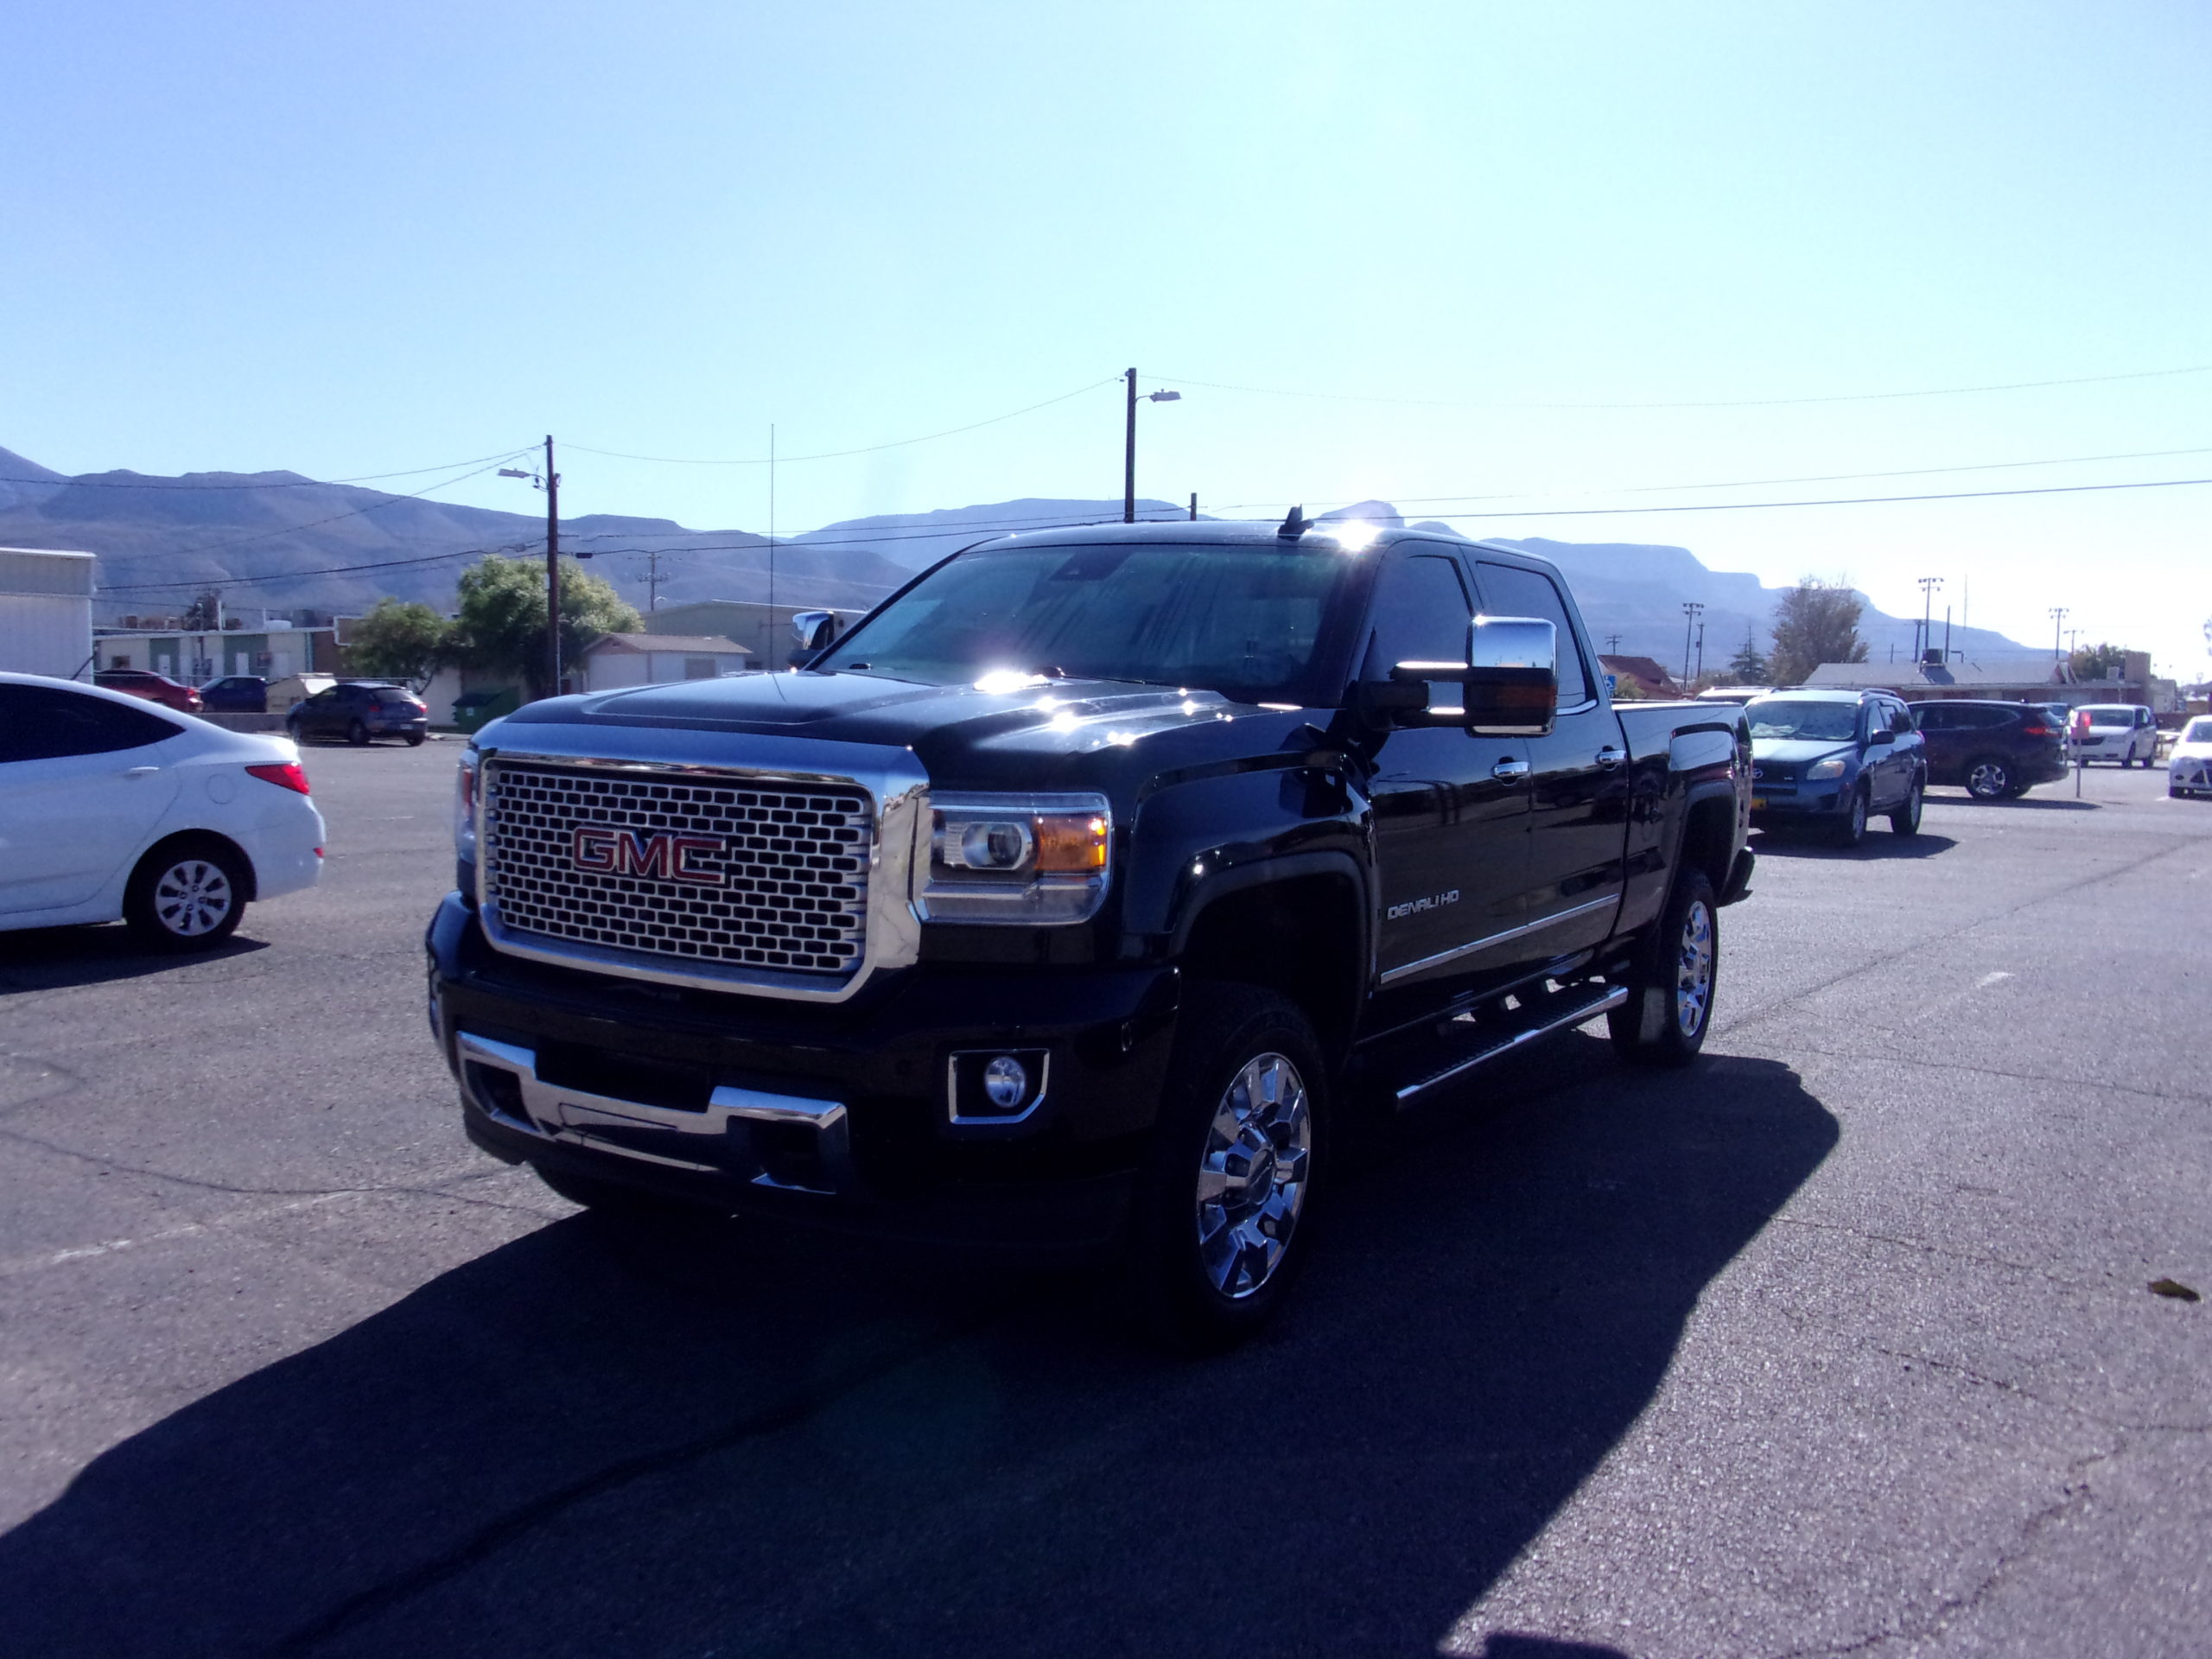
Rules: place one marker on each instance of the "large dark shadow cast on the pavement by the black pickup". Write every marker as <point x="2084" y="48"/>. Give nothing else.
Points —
<point x="603" y="1443"/>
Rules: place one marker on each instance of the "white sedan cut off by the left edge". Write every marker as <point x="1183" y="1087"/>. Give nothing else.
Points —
<point x="116" y="808"/>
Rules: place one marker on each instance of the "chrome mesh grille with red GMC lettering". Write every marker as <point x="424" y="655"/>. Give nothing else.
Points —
<point x="705" y="873"/>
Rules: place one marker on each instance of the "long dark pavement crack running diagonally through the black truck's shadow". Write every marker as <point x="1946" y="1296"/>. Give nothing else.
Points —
<point x="521" y="1521"/>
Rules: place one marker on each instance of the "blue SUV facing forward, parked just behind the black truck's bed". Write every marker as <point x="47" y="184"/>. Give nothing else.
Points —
<point x="1835" y="760"/>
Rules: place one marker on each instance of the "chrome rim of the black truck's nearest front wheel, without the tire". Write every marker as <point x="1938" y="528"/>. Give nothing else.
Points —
<point x="1253" y="1176"/>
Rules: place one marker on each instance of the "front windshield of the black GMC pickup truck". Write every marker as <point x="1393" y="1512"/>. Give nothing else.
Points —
<point x="1244" y="623"/>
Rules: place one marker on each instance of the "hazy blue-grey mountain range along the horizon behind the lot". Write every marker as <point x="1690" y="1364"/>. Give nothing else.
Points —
<point x="282" y="541"/>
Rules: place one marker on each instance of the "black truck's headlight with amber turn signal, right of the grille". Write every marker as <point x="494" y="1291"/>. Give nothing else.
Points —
<point x="1016" y="859"/>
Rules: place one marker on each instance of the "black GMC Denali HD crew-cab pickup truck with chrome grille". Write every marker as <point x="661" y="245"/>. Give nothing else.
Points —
<point x="1092" y="893"/>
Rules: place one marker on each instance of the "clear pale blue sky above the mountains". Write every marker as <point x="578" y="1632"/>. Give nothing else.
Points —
<point x="353" y="240"/>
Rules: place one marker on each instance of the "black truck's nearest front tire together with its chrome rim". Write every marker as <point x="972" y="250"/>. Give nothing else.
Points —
<point x="1224" y="1204"/>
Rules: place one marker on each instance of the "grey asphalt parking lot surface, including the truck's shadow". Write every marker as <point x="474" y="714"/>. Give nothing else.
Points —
<point x="1837" y="1344"/>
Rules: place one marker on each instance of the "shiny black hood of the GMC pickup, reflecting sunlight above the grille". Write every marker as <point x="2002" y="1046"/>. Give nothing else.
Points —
<point x="1021" y="731"/>
